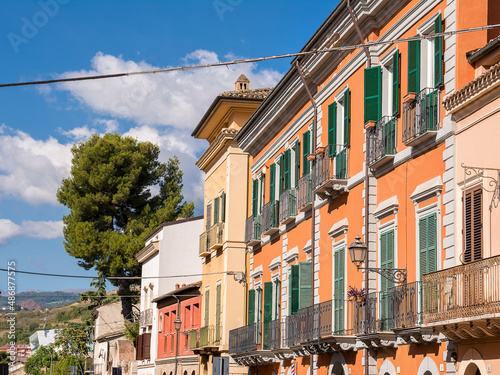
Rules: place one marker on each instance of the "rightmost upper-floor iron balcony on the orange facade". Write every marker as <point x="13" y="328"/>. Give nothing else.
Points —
<point x="421" y="117"/>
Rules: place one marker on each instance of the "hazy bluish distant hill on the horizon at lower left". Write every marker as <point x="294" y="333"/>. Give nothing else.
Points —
<point x="35" y="299"/>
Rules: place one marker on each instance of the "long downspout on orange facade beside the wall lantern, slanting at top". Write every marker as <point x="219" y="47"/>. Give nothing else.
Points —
<point x="367" y="180"/>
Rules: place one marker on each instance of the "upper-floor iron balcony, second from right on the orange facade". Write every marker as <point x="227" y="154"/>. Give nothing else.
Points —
<point x="382" y="142"/>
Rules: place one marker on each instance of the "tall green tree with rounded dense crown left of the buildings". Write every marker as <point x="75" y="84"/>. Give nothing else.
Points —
<point x="112" y="207"/>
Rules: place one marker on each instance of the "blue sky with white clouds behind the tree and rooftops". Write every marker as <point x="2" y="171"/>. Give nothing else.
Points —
<point x="50" y="39"/>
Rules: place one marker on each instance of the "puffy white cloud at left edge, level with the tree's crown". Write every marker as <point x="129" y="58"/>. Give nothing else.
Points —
<point x="32" y="170"/>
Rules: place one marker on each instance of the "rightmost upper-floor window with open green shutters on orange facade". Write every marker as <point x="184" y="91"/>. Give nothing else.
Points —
<point x="425" y="58"/>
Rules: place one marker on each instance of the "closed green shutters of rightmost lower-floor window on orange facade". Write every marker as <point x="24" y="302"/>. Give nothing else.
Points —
<point x="428" y="244"/>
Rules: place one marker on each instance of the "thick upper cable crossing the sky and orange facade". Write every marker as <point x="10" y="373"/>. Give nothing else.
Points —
<point x="256" y="59"/>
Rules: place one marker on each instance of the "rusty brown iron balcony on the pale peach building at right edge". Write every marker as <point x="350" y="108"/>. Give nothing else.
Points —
<point x="463" y="302"/>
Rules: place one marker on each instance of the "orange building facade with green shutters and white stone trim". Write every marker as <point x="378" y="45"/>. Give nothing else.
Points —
<point x="356" y="142"/>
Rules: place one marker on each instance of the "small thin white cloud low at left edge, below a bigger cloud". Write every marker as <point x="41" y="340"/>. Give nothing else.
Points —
<point x="46" y="230"/>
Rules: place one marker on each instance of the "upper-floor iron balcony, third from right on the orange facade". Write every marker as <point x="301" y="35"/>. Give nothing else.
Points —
<point x="331" y="172"/>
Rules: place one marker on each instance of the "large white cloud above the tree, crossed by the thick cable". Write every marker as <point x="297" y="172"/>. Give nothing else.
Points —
<point x="176" y="99"/>
